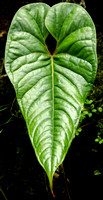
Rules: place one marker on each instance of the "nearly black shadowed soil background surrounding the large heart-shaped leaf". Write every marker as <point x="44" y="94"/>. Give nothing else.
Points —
<point x="21" y="176"/>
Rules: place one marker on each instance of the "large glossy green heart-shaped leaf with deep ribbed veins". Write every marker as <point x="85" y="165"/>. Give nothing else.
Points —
<point x="51" y="89"/>
